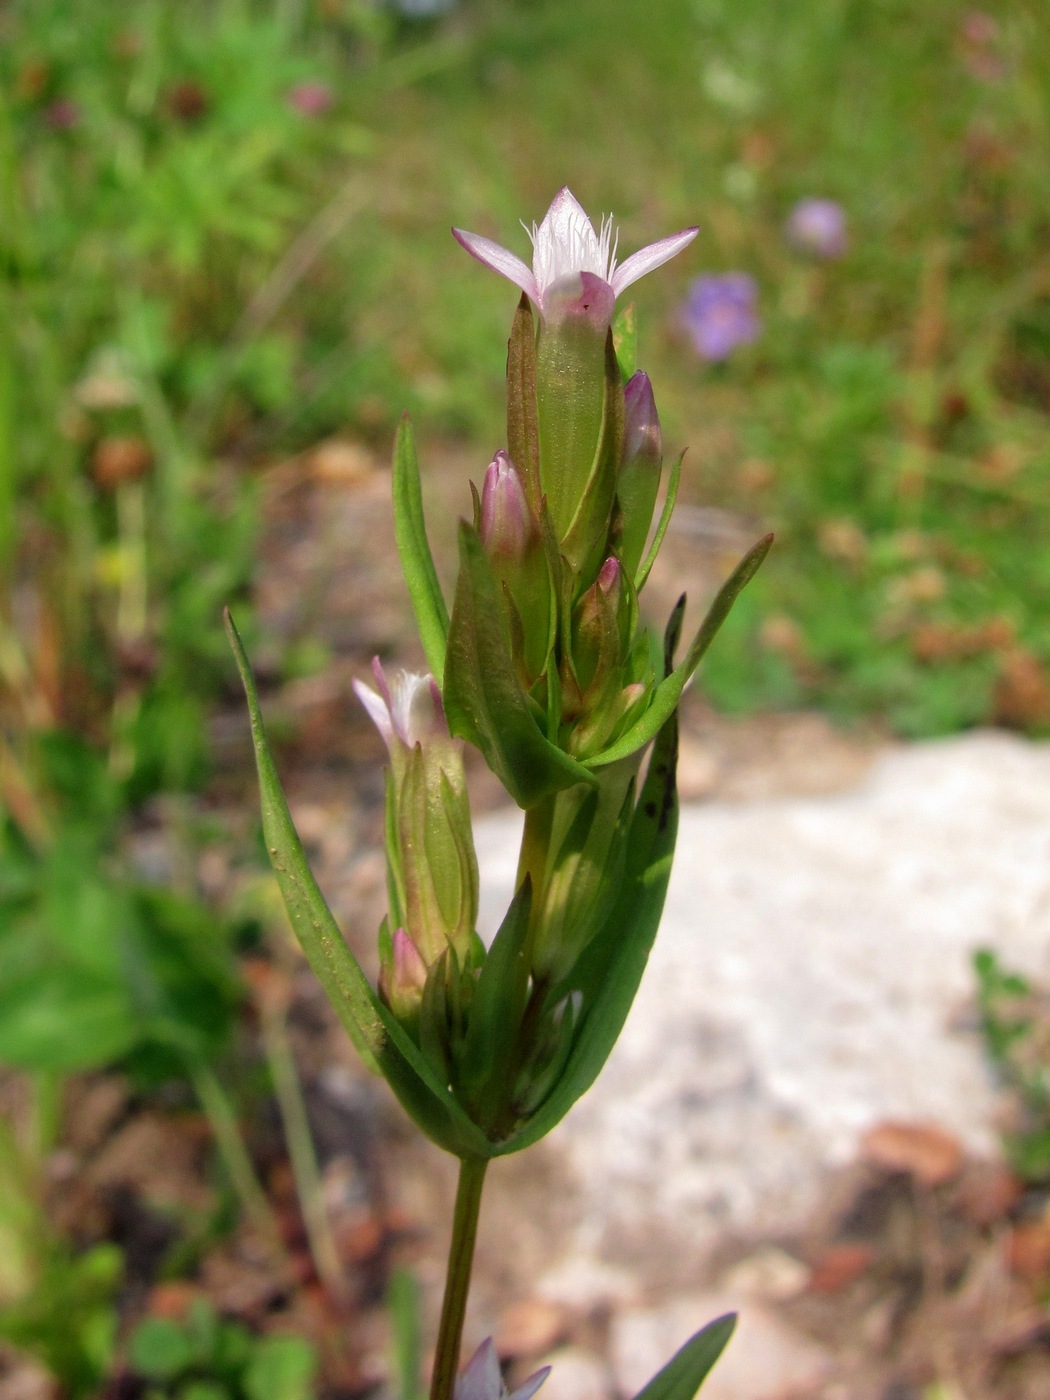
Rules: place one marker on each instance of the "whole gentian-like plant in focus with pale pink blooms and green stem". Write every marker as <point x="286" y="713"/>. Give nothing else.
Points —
<point x="544" y="666"/>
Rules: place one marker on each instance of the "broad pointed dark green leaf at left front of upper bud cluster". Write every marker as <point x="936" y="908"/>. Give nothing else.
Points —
<point x="484" y="701"/>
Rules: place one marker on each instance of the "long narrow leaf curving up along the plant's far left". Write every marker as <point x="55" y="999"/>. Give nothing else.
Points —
<point x="381" y="1042"/>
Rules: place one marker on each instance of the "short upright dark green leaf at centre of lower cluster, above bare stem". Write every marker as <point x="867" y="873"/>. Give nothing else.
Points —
<point x="496" y="1011"/>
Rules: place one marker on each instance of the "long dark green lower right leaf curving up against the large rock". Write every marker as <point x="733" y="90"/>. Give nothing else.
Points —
<point x="610" y="969"/>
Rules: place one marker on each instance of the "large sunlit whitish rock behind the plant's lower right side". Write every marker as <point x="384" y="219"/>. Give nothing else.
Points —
<point x="811" y="978"/>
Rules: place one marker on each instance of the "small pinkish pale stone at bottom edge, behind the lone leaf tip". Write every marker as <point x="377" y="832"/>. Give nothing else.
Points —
<point x="765" y="1360"/>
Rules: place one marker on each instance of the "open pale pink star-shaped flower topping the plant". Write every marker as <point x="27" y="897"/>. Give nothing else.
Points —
<point x="575" y="267"/>
